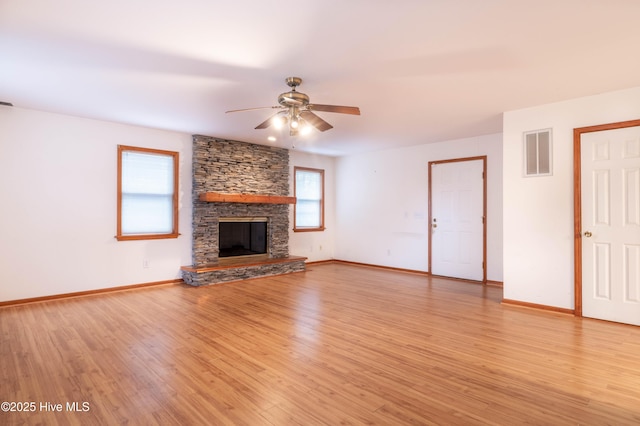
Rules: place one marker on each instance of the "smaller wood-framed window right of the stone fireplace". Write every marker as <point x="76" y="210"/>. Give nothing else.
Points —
<point x="308" y="212"/>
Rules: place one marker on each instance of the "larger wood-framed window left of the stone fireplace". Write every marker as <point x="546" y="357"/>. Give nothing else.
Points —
<point x="147" y="194"/>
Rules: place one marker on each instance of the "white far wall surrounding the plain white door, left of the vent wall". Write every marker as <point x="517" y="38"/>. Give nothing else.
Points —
<point x="382" y="203"/>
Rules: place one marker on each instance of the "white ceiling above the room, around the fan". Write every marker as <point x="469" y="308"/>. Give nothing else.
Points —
<point x="421" y="71"/>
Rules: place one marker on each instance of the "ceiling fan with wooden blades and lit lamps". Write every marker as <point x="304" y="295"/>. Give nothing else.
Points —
<point x="297" y="112"/>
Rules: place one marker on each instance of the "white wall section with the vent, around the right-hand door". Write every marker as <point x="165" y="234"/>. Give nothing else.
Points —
<point x="538" y="212"/>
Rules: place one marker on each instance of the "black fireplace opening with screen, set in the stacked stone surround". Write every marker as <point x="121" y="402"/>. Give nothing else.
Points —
<point x="242" y="236"/>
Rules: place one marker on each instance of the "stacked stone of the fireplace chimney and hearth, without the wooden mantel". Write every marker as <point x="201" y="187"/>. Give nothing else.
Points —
<point x="238" y="168"/>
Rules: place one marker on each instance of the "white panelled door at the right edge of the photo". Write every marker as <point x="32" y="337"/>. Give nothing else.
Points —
<point x="610" y="188"/>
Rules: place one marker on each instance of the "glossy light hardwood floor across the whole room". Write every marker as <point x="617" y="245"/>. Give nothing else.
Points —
<point x="338" y="344"/>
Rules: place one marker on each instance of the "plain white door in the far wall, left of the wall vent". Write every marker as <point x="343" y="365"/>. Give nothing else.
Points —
<point x="457" y="219"/>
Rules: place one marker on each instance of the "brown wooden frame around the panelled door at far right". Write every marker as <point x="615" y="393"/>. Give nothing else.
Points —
<point x="577" y="202"/>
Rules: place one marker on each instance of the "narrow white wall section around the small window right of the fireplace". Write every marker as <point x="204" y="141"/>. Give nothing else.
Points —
<point x="316" y="246"/>
